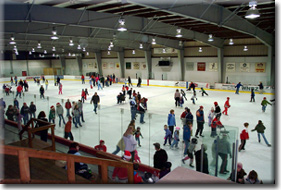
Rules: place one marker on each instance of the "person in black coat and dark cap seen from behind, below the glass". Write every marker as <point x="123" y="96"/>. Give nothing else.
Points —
<point x="160" y="157"/>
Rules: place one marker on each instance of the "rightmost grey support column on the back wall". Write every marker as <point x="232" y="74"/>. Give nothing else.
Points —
<point x="270" y="66"/>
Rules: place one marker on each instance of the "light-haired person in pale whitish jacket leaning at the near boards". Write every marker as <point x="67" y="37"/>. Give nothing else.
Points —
<point x="130" y="142"/>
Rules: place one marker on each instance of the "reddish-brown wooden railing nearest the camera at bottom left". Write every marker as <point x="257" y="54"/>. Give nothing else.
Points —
<point x="25" y="153"/>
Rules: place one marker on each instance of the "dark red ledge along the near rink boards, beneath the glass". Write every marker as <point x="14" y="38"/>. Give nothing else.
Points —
<point x="94" y="152"/>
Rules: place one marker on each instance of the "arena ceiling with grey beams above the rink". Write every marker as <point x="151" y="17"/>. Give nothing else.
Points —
<point x="94" y="23"/>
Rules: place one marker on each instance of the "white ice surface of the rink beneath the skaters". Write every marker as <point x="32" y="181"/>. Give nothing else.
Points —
<point x="111" y="121"/>
